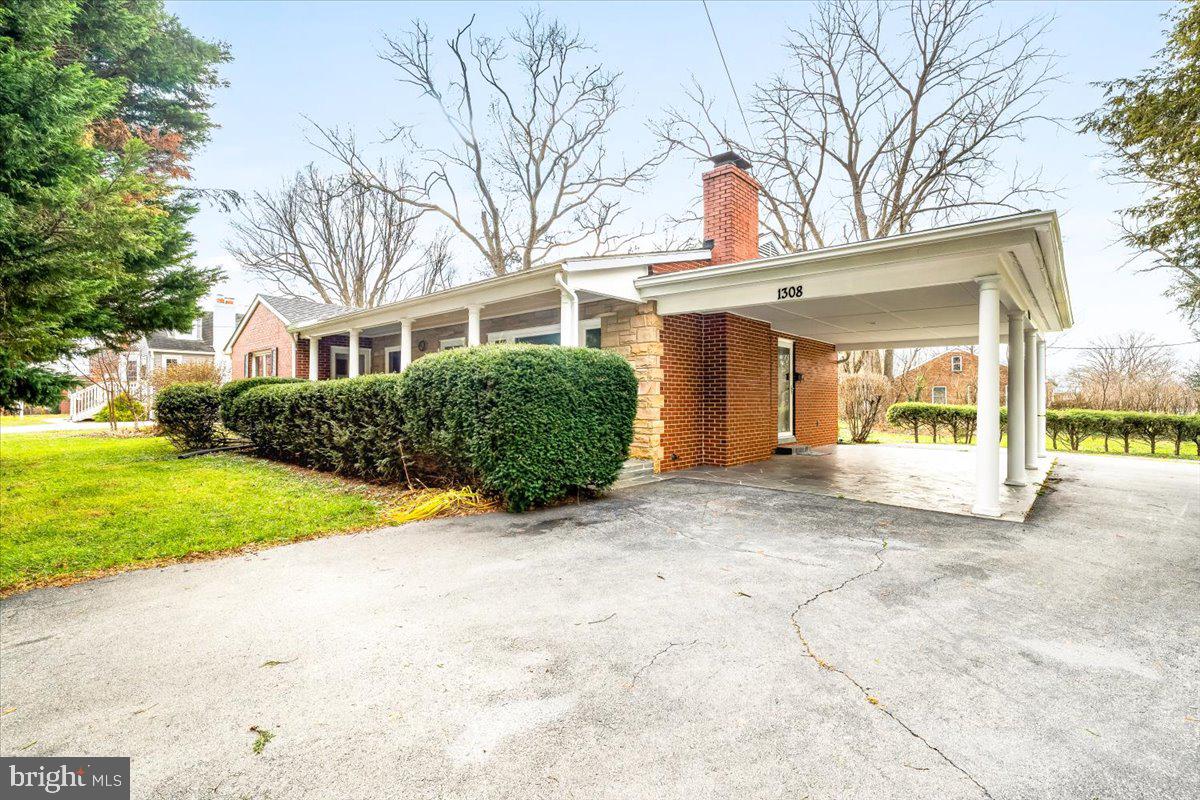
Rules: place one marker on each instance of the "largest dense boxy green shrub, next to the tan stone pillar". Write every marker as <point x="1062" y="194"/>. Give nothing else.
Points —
<point x="529" y="424"/>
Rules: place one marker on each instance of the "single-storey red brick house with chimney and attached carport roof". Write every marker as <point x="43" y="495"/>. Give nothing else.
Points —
<point x="735" y="345"/>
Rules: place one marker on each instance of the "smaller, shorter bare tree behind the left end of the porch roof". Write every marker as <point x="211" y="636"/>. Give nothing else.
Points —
<point x="327" y="236"/>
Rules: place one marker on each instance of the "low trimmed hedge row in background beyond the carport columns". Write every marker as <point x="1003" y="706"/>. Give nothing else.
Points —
<point x="1076" y="425"/>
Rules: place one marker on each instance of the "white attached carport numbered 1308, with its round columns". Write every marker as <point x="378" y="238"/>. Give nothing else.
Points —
<point x="944" y="287"/>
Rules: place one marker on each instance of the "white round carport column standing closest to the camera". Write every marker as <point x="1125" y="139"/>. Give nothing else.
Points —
<point x="988" y="407"/>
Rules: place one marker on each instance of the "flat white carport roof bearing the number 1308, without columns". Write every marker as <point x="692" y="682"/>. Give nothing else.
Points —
<point x="914" y="290"/>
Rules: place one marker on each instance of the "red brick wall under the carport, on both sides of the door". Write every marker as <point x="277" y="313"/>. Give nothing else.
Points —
<point x="719" y="387"/>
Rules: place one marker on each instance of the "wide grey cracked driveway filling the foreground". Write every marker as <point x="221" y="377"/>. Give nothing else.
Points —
<point x="680" y="640"/>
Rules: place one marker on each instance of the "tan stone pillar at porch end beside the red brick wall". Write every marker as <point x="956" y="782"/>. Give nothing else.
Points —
<point x="637" y="334"/>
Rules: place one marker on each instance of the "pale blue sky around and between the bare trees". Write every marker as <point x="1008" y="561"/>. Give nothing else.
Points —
<point x="320" y="61"/>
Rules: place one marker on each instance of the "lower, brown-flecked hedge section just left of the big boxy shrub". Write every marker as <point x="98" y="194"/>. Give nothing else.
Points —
<point x="352" y="426"/>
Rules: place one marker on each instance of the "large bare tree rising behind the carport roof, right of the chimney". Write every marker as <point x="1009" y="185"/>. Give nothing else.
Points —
<point x="890" y="118"/>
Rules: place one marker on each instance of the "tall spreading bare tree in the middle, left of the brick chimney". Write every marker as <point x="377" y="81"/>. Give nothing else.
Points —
<point x="525" y="173"/>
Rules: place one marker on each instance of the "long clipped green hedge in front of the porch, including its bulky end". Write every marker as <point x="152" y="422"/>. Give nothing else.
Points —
<point x="527" y="424"/>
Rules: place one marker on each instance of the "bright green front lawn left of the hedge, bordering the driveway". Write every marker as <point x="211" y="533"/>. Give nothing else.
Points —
<point x="77" y="504"/>
